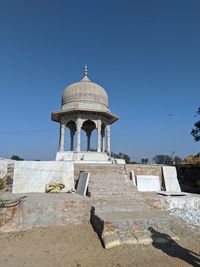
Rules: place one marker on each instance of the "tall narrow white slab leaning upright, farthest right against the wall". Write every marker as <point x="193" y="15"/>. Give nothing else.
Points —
<point x="170" y="179"/>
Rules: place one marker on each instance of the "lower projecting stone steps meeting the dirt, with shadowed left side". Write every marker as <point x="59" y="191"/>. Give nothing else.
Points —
<point x="131" y="224"/>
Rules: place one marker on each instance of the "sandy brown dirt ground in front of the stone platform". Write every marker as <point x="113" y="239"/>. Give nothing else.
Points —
<point x="79" y="246"/>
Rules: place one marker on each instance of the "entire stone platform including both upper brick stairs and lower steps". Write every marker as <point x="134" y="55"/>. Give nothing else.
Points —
<point x="118" y="212"/>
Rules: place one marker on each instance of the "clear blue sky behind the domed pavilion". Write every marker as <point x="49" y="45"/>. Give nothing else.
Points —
<point x="145" y="53"/>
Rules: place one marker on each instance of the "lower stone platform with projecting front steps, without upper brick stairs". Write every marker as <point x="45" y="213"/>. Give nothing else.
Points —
<point x="117" y="220"/>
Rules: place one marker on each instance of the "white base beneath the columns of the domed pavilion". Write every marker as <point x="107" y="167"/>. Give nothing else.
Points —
<point x="84" y="157"/>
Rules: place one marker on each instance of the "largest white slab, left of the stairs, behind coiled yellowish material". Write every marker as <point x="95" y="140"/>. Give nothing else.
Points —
<point x="32" y="176"/>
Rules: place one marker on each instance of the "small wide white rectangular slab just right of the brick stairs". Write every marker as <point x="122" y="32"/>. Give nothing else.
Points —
<point x="148" y="183"/>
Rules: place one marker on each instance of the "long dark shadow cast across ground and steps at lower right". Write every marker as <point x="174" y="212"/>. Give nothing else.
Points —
<point x="173" y="249"/>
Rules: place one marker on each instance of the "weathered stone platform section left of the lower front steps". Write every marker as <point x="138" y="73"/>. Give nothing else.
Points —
<point x="44" y="210"/>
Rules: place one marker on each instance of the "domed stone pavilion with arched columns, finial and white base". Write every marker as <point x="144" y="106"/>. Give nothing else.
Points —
<point x="84" y="107"/>
